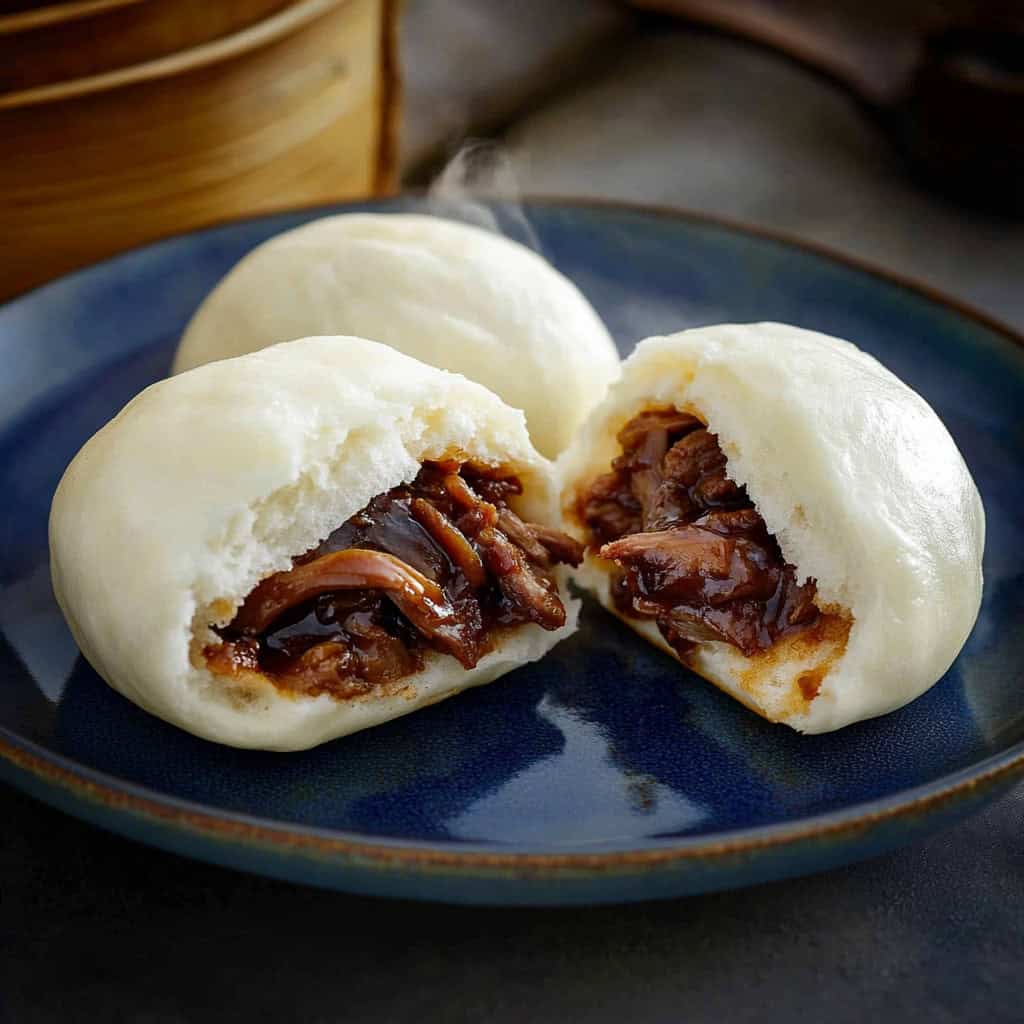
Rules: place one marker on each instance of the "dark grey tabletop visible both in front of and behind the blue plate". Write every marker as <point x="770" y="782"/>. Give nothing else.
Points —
<point x="95" y="928"/>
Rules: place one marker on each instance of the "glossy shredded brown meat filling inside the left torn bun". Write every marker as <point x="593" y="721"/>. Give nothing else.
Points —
<point x="441" y="565"/>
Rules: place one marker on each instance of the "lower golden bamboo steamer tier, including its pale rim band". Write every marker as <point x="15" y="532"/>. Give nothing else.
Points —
<point x="297" y="109"/>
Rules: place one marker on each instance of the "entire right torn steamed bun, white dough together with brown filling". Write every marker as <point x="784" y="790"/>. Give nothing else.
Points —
<point x="854" y="475"/>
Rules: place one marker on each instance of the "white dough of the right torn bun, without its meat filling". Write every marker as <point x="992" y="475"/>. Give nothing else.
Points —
<point x="858" y="479"/>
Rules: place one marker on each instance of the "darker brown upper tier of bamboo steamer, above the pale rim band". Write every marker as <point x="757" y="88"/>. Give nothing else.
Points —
<point x="62" y="41"/>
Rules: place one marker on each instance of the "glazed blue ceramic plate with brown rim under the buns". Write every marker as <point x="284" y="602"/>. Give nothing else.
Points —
<point x="604" y="774"/>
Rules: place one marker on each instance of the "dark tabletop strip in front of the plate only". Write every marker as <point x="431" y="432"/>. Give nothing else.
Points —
<point x="99" y="929"/>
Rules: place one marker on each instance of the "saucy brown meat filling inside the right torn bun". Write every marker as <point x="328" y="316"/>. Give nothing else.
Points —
<point x="692" y="551"/>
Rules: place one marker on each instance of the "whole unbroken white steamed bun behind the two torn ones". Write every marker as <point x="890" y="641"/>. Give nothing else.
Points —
<point x="452" y="295"/>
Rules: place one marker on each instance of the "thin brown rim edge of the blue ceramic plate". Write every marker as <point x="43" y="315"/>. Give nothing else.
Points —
<point x="130" y="798"/>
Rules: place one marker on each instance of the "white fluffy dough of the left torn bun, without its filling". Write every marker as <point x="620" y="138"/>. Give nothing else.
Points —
<point x="208" y="483"/>
